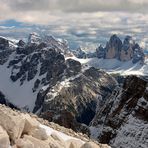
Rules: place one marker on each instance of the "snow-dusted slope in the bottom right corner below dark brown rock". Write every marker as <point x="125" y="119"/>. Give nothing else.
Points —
<point x="132" y="135"/>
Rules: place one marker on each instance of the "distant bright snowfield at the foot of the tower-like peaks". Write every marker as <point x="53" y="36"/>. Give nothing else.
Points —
<point x="116" y="66"/>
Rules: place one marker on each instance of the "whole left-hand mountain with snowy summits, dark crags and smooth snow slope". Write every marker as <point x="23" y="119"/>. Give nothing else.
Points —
<point x="37" y="62"/>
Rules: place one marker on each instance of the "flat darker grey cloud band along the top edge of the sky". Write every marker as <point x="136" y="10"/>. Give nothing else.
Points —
<point x="75" y="5"/>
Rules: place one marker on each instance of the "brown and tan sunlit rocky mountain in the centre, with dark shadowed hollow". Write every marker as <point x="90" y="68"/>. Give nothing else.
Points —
<point x="75" y="99"/>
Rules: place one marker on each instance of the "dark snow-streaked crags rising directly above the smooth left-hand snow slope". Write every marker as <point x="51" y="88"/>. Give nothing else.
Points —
<point x="25" y="67"/>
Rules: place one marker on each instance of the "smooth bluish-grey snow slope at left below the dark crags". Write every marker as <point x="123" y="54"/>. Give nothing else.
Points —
<point x="22" y="96"/>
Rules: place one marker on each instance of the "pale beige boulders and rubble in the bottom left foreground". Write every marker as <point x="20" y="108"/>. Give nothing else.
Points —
<point x="19" y="130"/>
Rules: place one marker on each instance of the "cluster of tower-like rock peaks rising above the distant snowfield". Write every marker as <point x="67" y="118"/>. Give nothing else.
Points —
<point x="123" y="51"/>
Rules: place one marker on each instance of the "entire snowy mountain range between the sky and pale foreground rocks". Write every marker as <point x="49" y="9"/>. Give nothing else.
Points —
<point x="44" y="76"/>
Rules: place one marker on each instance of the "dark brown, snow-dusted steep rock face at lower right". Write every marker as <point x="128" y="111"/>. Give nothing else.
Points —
<point x="124" y="115"/>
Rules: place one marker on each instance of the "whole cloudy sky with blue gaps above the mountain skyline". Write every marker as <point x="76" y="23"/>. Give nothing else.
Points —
<point x="81" y="22"/>
